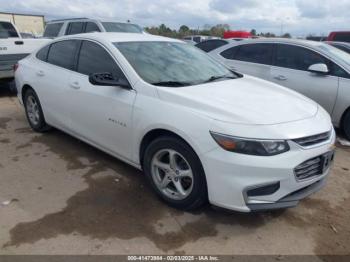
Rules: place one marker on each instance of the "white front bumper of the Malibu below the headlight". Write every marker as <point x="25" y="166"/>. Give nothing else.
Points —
<point x="230" y="176"/>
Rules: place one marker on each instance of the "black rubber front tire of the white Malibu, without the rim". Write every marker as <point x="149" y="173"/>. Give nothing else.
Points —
<point x="198" y="196"/>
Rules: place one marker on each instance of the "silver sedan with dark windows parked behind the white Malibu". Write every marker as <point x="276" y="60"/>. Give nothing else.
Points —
<point x="317" y="70"/>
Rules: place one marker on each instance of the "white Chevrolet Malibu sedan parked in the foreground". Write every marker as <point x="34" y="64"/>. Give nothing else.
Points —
<point x="199" y="131"/>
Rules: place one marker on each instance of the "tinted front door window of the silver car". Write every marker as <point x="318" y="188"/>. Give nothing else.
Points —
<point x="296" y="57"/>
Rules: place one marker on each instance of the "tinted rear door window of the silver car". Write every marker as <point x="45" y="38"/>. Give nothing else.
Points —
<point x="255" y="53"/>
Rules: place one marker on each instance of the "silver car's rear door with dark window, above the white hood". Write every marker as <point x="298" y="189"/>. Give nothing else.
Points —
<point x="252" y="59"/>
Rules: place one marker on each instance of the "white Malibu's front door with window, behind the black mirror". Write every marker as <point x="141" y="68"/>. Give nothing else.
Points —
<point x="101" y="114"/>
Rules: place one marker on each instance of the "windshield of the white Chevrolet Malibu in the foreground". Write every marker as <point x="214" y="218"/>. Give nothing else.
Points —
<point x="171" y="62"/>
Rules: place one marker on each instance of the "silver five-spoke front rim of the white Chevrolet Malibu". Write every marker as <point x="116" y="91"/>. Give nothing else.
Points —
<point x="172" y="174"/>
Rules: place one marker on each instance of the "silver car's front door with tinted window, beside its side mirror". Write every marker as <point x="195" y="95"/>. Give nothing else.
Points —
<point x="290" y="69"/>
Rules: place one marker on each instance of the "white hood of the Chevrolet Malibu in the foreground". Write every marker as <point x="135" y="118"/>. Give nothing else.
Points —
<point x="246" y="100"/>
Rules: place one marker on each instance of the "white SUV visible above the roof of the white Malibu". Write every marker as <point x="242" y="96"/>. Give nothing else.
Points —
<point x="73" y="26"/>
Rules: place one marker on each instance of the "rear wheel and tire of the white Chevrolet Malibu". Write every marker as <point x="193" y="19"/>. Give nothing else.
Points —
<point x="34" y="112"/>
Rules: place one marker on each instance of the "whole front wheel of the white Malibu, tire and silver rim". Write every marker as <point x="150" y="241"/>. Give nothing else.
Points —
<point x="186" y="173"/>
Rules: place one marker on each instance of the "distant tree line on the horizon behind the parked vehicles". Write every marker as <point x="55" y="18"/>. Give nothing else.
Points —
<point x="217" y="30"/>
